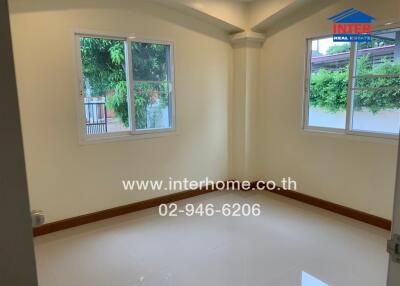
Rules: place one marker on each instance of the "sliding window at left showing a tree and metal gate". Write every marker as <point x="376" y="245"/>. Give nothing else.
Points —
<point x="126" y="86"/>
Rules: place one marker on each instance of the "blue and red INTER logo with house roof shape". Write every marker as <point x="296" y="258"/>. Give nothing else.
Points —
<point x="352" y="25"/>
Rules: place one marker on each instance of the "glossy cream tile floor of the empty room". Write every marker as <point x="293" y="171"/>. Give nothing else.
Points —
<point x="290" y="244"/>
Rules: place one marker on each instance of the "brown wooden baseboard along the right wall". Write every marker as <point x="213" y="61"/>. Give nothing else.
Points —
<point x="336" y="208"/>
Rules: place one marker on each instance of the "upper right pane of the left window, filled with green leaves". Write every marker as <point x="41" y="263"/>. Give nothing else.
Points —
<point x="150" y="61"/>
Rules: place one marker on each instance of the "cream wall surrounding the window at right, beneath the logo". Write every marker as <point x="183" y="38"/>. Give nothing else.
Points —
<point x="349" y="171"/>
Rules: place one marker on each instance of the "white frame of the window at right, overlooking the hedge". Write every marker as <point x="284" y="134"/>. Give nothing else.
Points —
<point x="350" y="96"/>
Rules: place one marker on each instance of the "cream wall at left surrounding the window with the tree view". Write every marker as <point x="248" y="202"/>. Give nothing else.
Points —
<point x="66" y="179"/>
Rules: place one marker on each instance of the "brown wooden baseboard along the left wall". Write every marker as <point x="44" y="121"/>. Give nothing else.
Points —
<point x="117" y="211"/>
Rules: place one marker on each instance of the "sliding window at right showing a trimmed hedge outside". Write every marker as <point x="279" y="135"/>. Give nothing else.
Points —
<point x="354" y="87"/>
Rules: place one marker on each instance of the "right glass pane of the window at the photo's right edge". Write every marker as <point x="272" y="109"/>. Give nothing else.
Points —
<point x="377" y="84"/>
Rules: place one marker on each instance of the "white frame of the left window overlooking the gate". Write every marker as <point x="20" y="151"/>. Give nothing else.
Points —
<point x="132" y="133"/>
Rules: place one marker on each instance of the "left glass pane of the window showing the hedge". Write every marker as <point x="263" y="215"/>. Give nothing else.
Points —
<point x="328" y="83"/>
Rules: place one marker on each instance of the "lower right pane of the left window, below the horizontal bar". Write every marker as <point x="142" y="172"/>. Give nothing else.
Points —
<point x="152" y="105"/>
